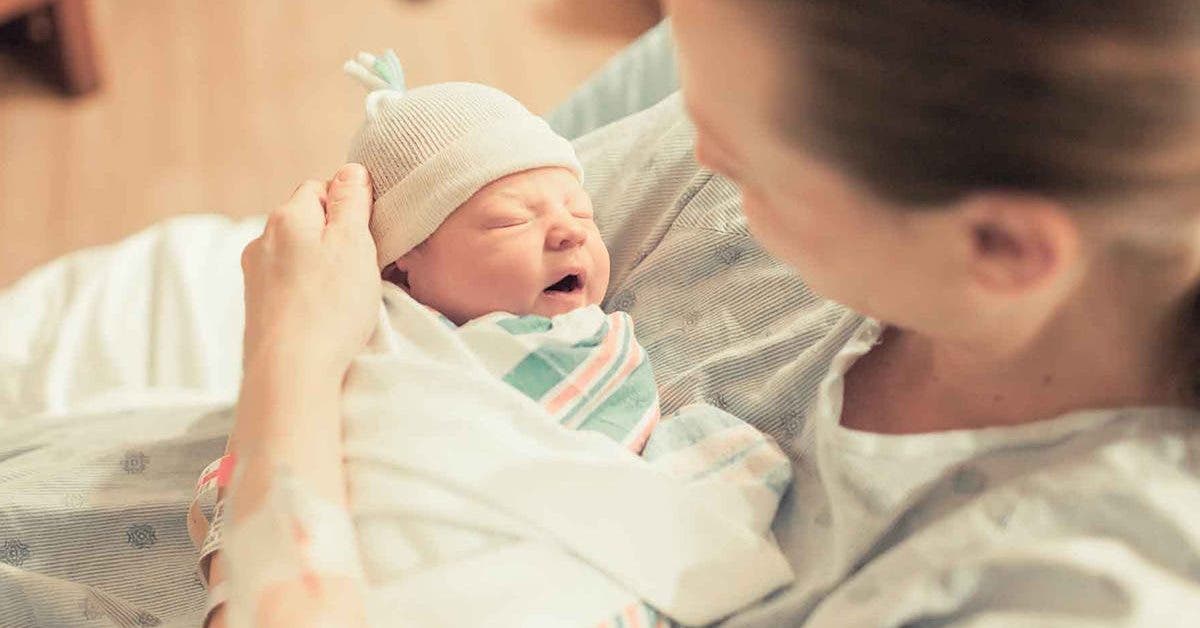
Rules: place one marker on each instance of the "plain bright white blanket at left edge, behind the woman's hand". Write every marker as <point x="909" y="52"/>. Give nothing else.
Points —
<point x="158" y="315"/>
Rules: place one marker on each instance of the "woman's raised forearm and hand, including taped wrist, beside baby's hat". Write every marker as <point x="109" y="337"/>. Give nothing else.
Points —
<point x="313" y="297"/>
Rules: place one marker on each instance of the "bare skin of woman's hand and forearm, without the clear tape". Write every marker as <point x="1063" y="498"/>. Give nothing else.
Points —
<point x="313" y="296"/>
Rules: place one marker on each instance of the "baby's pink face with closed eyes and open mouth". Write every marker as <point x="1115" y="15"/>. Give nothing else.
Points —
<point x="526" y="244"/>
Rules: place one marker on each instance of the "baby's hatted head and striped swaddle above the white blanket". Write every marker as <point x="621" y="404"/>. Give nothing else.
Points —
<point x="481" y="216"/>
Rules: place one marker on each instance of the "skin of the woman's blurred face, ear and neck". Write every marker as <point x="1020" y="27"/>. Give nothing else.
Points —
<point x="1004" y="308"/>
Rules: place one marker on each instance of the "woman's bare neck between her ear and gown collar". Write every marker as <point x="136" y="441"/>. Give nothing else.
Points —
<point x="1111" y="346"/>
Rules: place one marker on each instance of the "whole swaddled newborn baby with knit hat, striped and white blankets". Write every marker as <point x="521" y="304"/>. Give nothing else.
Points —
<point x="491" y="426"/>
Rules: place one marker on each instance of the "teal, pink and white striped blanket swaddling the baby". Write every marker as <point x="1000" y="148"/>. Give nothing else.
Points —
<point x="590" y="373"/>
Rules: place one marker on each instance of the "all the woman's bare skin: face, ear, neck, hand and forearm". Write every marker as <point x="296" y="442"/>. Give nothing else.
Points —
<point x="1003" y="309"/>
